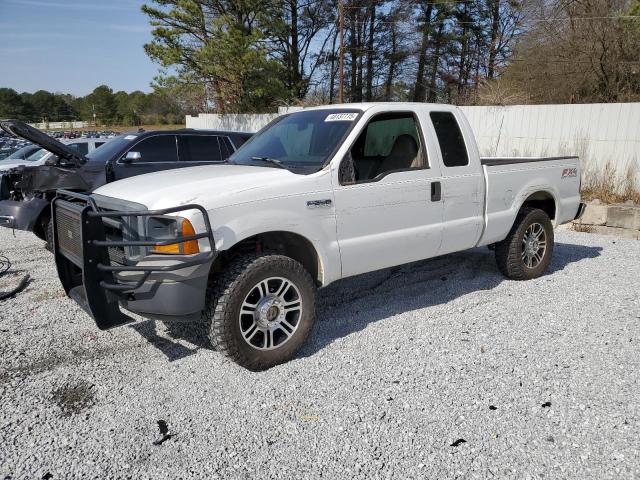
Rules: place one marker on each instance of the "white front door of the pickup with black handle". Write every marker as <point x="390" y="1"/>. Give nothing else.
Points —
<point x="385" y="211"/>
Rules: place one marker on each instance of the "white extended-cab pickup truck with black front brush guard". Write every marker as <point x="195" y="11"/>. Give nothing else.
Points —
<point x="316" y="196"/>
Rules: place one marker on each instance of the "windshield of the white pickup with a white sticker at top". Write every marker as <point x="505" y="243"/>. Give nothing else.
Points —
<point x="301" y="142"/>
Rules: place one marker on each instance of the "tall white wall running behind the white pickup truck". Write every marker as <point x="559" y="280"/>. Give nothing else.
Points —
<point x="598" y="133"/>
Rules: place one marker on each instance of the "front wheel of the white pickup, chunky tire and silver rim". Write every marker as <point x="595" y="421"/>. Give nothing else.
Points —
<point x="260" y="310"/>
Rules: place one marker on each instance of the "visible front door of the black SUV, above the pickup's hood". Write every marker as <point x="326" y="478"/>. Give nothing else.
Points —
<point x="157" y="152"/>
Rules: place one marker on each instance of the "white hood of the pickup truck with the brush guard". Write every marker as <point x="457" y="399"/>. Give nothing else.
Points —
<point x="210" y="186"/>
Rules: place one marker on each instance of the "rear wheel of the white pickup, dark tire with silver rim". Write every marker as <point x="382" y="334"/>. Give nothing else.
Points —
<point x="527" y="250"/>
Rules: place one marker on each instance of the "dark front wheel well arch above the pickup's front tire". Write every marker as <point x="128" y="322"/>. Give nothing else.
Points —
<point x="283" y="243"/>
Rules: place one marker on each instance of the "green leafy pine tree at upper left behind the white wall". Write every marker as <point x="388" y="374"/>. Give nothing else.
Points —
<point x="222" y="44"/>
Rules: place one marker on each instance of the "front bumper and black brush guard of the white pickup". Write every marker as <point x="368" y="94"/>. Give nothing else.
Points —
<point x="157" y="286"/>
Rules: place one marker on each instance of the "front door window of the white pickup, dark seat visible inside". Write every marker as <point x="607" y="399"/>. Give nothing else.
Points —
<point x="390" y="142"/>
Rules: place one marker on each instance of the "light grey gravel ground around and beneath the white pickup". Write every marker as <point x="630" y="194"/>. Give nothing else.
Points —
<point x="440" y="369"/>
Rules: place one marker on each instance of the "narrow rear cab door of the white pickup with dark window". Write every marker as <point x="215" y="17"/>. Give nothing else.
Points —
<point x="462" y="183"/>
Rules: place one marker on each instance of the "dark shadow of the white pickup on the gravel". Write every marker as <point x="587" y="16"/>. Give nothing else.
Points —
<point x="350" y="305"/>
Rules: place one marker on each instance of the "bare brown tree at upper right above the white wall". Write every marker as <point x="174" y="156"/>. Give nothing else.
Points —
<point x="585" y="51"/>
